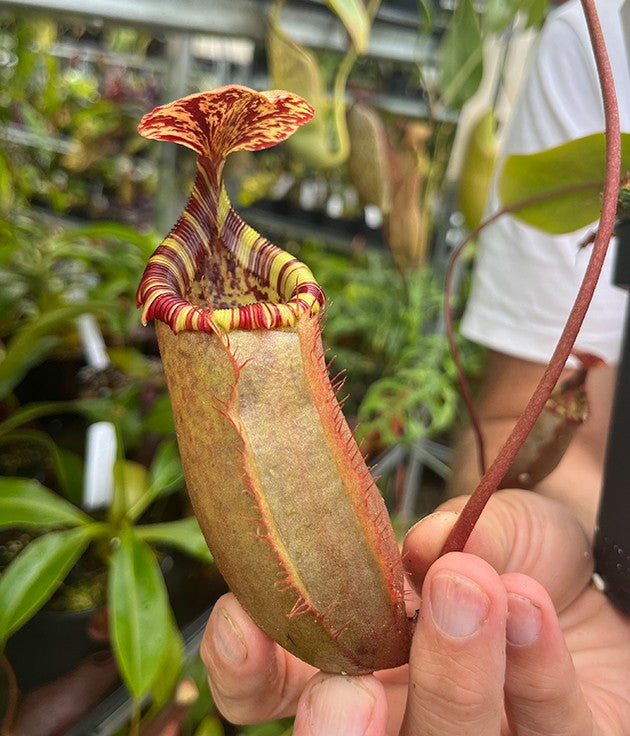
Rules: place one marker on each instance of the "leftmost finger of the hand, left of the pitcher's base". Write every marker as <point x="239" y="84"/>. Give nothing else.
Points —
<point x="252" y="679"/>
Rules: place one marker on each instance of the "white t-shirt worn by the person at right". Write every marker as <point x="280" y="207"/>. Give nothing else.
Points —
<point x="526" y="280"/>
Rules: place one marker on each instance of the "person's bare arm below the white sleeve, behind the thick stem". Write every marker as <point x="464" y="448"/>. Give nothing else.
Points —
<point x="507" y="386"/>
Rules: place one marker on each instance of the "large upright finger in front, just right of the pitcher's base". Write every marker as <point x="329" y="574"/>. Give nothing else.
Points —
<point x="457" y="660"/>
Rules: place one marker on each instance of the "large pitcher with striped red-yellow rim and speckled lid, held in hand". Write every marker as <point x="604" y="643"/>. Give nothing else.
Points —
<point x="288" y="507"/>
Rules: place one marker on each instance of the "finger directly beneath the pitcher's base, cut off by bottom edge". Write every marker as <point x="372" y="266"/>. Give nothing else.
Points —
<point x="338" y="705"/>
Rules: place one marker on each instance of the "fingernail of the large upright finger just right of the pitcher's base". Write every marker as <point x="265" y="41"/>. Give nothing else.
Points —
<point x="458" y="605"/>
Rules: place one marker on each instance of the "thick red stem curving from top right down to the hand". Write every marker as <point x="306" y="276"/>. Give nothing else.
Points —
<point x="493" y="476"/>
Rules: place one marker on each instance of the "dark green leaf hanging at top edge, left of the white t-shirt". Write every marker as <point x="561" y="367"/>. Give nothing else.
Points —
<point x="461" y="60"/>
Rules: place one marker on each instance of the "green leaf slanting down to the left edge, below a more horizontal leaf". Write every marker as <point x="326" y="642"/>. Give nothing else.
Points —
<point x="30" y="580"/>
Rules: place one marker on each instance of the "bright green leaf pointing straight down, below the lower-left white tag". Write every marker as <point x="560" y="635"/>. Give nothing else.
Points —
<point x="139" y="613"/>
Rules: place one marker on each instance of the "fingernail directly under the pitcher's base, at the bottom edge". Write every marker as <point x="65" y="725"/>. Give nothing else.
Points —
<point x="340" y="707"/>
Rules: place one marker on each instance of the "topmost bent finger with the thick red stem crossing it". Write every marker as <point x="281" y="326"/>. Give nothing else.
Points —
<point x="518" y="531"/>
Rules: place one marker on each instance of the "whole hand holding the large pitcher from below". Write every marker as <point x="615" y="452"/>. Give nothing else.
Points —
<point x="523" y="670"/>
